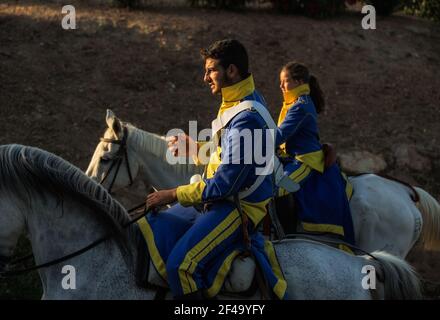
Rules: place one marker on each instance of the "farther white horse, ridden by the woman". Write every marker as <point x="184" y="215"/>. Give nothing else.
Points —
<point x="384" y="215"/>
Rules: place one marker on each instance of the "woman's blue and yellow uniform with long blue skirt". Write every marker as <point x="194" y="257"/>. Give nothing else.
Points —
<point x="323" y="197"/>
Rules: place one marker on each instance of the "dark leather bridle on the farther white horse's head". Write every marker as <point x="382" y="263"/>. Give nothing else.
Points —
<point x="118" y="159"/>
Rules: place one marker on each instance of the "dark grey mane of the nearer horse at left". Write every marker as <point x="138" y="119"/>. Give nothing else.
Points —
<point x="25" y="168"/>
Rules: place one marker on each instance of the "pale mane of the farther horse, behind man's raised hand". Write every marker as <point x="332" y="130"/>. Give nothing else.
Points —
<point x="157" y="146"/>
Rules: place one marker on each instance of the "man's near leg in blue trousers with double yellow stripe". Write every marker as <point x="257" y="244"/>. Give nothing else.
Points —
<point x="205" y="245"/>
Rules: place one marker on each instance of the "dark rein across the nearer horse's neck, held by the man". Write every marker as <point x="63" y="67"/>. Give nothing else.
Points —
<point x="11" y="273"/>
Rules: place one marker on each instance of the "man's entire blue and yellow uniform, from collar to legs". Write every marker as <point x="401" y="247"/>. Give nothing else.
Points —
<point x="197" y="256"/>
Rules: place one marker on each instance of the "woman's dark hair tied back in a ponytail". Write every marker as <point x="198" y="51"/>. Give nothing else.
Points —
<point x="299" y="71"/>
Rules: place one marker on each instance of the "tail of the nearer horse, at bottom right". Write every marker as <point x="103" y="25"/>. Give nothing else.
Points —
<point x="401" y="282"/>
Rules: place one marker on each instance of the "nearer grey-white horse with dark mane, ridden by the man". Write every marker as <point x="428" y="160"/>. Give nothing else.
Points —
<point x="63" y="210"/>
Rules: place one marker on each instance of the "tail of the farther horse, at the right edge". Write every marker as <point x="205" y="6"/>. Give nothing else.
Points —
<point x="430" y="210"/>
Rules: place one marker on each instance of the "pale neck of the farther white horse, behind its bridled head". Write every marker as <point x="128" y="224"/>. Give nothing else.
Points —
<point x="150" y="150"/>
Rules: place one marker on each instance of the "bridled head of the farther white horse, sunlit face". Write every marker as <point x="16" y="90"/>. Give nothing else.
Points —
<point x="114" y="163"/>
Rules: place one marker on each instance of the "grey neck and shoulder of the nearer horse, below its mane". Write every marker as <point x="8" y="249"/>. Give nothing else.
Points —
<point x="100" y="273"/>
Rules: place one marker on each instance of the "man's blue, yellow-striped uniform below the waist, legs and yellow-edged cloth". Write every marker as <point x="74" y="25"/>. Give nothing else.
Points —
<point x="193" y="251"/>
